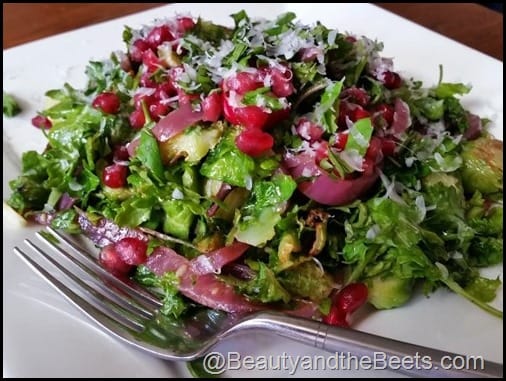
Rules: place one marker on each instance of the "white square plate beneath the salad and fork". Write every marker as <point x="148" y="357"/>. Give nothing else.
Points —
<point x="45" y="337"/>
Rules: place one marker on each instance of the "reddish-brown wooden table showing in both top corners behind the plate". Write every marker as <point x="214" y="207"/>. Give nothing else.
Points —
<point x="469" y="23"/>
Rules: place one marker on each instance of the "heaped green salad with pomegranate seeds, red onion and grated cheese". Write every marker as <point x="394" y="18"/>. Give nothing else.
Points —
<point x="269" y="165"/>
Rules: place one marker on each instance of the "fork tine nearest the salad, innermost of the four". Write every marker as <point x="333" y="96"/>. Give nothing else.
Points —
<point x="141" y="295"/>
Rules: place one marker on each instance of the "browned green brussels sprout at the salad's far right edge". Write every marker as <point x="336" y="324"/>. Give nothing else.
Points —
<point x="482" y="166"/>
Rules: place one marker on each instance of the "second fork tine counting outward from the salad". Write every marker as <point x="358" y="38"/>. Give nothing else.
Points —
<point x="125" y="299"/>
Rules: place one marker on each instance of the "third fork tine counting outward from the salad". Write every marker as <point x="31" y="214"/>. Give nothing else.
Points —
<point x="107" y="306"/>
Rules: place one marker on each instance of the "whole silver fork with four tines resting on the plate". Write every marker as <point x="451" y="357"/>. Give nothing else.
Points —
<point x="130" y="313"/>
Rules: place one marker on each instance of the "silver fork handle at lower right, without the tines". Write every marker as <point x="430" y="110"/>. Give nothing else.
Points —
<point x="418" y="360"/>
